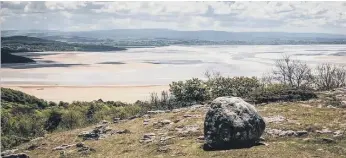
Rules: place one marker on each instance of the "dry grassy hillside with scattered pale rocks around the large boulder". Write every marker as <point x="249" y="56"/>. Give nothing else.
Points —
<point x="296" y="128"/>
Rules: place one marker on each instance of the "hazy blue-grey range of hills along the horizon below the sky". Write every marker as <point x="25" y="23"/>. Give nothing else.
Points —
<point x="169" y="37"/>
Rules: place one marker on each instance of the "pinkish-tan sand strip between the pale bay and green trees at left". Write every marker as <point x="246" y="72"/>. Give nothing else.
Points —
<point x="128" y="94"/>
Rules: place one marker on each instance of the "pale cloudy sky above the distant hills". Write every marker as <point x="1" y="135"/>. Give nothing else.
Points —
<point x="322" y="17"/>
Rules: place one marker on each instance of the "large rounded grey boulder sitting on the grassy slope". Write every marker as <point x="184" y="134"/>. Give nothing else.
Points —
<point x="232" y="123"/>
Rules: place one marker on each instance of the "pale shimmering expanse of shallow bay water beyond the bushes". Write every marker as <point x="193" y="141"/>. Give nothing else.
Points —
<point x="167" y="64"/>
